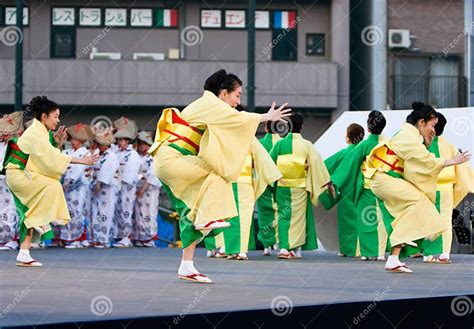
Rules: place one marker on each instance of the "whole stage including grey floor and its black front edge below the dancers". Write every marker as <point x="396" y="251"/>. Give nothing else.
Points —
<point x="77" y="286"/>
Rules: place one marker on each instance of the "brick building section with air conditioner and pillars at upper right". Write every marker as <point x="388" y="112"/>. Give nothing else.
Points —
<point x="410" y="50"/>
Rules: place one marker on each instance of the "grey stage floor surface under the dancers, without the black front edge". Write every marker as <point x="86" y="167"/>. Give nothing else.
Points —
<point x="92" y="284"/>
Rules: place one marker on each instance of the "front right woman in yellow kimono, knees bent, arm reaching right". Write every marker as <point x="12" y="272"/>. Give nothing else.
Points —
<point x="403" y="174"/>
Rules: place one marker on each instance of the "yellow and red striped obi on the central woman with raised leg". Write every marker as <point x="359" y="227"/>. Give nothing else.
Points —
<point x="179" y="134"/>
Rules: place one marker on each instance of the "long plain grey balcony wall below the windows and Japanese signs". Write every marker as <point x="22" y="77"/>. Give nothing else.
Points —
<point x="128" y="83"/>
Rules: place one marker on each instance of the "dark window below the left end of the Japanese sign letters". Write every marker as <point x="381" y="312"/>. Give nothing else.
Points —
<point x="63" y="41"/>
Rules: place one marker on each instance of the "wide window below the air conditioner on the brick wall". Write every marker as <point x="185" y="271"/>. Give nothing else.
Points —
<point x="433" y="80"/>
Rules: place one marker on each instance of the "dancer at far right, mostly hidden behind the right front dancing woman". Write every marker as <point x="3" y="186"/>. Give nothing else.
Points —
<point x="452" y="186"/>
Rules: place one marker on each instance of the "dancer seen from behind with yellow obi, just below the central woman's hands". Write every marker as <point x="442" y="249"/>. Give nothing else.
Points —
<point x="304" y="178"/>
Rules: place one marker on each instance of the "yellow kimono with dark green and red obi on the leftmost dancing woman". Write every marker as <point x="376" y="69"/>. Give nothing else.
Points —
<point x="33" y="168"/>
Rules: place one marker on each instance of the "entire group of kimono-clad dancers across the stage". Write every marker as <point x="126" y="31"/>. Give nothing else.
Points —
<point x="393" y="195"/>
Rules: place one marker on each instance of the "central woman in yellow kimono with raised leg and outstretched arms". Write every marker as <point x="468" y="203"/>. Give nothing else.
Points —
<point x="198" y="153"/>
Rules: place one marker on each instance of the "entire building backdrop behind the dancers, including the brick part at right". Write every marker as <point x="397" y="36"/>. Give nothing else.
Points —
<point x="324" y="57"/>
